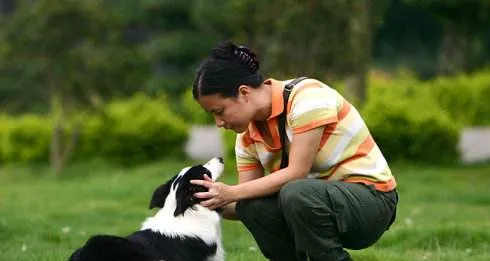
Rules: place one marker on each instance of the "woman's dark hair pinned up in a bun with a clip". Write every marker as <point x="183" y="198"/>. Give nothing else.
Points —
<point x="228" y="67"/>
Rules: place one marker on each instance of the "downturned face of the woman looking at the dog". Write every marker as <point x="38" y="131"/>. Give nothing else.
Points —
<point x="229" y="112"/>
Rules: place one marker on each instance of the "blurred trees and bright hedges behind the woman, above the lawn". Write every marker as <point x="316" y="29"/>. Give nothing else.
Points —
<point x="111" y="79"/>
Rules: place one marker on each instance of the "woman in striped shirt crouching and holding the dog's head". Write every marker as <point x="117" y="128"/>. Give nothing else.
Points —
<point x="337" y="190"/>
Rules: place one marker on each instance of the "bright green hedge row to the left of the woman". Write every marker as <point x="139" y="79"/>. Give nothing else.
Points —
<point x="130" y="131"/>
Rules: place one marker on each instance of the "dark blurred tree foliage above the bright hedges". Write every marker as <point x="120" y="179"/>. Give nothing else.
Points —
<point x="116" y="48"/>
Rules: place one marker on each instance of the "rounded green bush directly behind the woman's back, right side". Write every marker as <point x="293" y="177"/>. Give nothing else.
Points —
<point x="407" y="124"/>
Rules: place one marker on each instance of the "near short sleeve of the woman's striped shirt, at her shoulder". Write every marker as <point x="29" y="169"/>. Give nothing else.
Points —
<point x="313" y="105"/>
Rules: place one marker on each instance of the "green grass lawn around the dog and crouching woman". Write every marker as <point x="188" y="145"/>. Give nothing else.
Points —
<point x="444" y="212"/>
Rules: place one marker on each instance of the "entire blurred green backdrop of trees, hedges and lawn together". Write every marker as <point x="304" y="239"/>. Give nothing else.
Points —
<point x="96" y="111"/>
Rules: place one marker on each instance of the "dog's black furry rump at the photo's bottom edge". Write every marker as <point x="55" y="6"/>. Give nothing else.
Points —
<point x="105" y="247"/>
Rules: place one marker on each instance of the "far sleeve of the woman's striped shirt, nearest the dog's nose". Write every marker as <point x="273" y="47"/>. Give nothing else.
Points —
<point x="246" y="154"/>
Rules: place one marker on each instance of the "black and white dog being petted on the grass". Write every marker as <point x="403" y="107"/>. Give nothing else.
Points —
<point x="181" y="230"/>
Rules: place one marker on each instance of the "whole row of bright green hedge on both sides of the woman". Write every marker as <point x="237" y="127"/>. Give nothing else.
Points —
<point x="409" y="119"/>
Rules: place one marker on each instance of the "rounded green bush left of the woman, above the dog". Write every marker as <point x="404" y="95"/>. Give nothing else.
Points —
<point x="136" y="130"/>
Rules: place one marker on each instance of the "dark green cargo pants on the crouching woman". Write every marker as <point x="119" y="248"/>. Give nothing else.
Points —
<point x="315" y="220"/>
